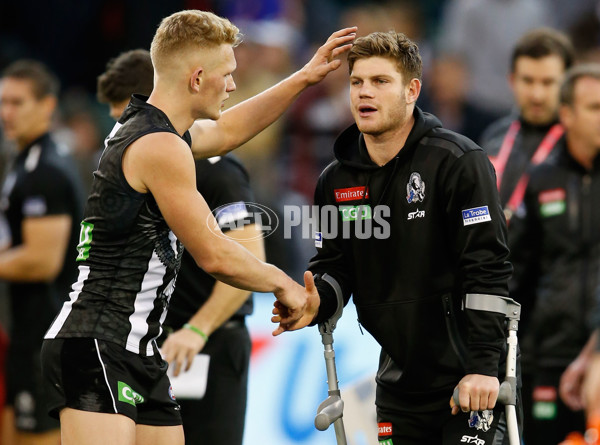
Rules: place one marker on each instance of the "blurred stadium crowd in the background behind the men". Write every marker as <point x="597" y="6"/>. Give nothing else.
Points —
<point x="466" y="47"/>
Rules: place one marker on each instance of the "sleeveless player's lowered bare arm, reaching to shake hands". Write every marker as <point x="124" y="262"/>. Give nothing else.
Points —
<point x="161" y="163"/>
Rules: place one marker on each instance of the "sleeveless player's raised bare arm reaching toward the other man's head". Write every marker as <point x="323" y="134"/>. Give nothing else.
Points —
<point x="244" y="121"/>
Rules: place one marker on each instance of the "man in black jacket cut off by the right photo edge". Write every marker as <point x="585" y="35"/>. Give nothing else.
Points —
<point x="555" y="248"/>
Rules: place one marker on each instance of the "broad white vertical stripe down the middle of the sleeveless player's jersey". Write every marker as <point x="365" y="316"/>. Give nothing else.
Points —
<point x="144" y="304"/>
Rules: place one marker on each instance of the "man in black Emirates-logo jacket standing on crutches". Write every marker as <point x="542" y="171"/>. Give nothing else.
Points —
<point x="417" y="226"/>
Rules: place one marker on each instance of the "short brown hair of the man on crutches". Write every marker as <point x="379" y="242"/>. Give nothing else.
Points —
<point x="392" y="45"/>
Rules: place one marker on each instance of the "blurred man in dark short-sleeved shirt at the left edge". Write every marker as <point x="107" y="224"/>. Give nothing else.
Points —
<point x="42" y="203"/>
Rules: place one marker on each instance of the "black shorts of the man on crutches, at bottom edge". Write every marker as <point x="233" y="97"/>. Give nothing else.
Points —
<point x="440" y="428"/>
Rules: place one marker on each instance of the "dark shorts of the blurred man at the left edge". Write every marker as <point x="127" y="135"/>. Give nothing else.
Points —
<point x="26" y="392"/>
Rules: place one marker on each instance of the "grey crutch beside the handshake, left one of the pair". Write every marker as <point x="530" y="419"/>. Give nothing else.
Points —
<point x="331" y="409"/>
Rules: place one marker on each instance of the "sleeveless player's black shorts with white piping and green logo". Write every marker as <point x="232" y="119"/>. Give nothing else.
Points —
<point x="100" y="376"/>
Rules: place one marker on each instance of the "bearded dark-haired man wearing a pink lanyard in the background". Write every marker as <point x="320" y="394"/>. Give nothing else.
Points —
<point x="526" y="136"/>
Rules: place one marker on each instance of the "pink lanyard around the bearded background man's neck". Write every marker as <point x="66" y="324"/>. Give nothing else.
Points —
<point x="541" y="153"/>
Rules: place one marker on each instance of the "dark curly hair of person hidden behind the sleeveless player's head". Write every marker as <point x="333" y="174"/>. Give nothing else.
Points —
<point x="130" y="72"/>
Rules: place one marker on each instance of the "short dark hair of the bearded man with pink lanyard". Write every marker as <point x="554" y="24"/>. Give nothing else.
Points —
<point x="544" y="42"/>
